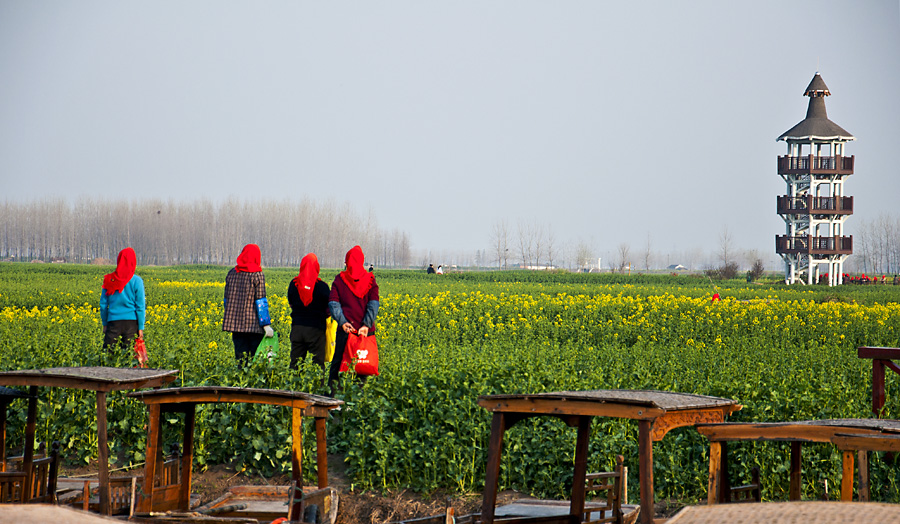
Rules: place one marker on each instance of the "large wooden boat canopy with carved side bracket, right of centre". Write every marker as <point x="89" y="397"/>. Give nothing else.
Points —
<point x="657" y="412"/>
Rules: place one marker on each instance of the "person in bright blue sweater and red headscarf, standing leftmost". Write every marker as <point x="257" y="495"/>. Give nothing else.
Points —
<point x="122" y="303"/>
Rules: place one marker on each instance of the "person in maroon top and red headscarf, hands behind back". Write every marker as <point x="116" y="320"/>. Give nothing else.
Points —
<point x="354" y="306"/>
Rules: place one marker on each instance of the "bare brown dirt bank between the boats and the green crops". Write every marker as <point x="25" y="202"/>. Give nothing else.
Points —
<point x="355" y="507"/>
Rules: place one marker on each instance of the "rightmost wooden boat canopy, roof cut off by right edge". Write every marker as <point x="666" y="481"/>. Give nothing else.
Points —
<point x="797" y="432"/>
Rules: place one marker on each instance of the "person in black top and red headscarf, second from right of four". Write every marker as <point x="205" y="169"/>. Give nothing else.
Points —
<point x="308" y="298"/>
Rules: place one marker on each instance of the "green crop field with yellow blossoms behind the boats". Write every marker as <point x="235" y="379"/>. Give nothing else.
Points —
<point x="784" y="353"/>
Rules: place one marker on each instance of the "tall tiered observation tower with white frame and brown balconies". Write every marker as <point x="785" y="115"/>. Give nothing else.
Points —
<point x="815" y="208"/>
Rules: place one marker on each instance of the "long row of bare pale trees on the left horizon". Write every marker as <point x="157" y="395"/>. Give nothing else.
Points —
<point x="198" y="232"/>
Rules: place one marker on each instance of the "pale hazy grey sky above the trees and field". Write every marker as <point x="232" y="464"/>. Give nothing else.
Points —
<point x="607" y="121"/>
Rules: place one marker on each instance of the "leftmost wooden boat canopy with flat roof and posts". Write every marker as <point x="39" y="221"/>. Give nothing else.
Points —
<point x="102" y="380"/>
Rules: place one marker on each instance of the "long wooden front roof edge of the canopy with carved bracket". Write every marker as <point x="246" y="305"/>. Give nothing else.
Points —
<point x="571" y="407"/>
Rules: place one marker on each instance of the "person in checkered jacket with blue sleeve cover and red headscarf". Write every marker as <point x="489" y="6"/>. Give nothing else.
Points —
<point x="246" y="306"/>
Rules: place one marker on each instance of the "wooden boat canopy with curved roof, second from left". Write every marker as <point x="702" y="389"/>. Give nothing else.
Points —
<point x="184" y="400"/>
